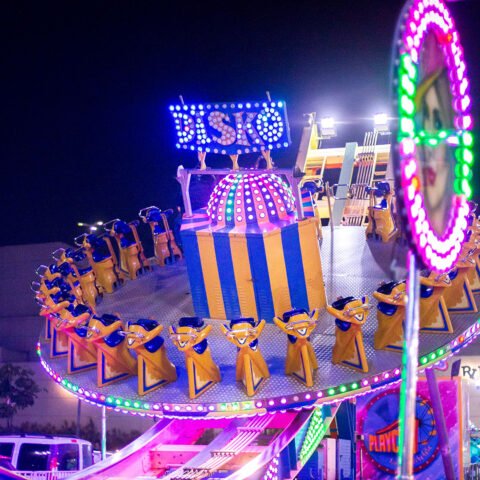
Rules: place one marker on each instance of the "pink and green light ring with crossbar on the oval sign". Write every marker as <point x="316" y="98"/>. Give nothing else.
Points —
<point x="437" y="253"/>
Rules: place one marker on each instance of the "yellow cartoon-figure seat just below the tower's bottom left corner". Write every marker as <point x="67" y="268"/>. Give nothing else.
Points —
<point x="190" y="337"/>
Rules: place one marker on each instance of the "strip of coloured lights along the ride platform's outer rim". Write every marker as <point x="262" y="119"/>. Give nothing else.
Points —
<point x="249" y="407"/>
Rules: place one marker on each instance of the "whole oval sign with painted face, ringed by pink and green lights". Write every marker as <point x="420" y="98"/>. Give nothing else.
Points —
<point x="433" y="157"/>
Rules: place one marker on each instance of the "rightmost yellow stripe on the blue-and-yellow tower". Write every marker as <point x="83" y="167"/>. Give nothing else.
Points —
<point x="312" y="264"/>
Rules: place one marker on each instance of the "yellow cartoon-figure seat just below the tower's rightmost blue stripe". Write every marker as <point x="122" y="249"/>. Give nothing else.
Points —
<point x="301" y="361"/>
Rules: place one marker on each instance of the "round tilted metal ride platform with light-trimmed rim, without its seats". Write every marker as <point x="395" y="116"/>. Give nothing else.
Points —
<point x="349" y="268"/>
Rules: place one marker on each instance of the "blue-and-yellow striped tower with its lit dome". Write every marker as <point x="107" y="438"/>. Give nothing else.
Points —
<point x="248" y="256"/>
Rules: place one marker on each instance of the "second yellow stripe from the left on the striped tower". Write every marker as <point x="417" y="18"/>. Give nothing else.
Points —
<point x="243" y="276"/>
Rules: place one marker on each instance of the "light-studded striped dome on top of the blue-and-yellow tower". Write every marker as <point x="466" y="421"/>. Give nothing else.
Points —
<point x="240" y="200"/>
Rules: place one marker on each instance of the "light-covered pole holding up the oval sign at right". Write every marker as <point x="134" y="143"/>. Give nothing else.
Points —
<point x="408" y="391"/>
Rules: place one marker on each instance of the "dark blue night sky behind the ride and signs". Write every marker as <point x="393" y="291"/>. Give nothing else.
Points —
<point x="86" y="87"/>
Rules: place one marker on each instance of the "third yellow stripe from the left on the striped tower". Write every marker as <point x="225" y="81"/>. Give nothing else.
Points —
<point x="277" y="273"/>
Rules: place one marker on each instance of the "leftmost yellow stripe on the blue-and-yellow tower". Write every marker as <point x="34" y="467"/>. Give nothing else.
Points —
<point x="211" y="278"/>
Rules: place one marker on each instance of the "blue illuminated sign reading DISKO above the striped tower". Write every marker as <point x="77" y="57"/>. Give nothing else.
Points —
<point x="232" y="128"/>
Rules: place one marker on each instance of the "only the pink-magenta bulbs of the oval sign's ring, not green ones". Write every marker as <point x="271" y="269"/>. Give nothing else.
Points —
<point x="438" y="253"/>
